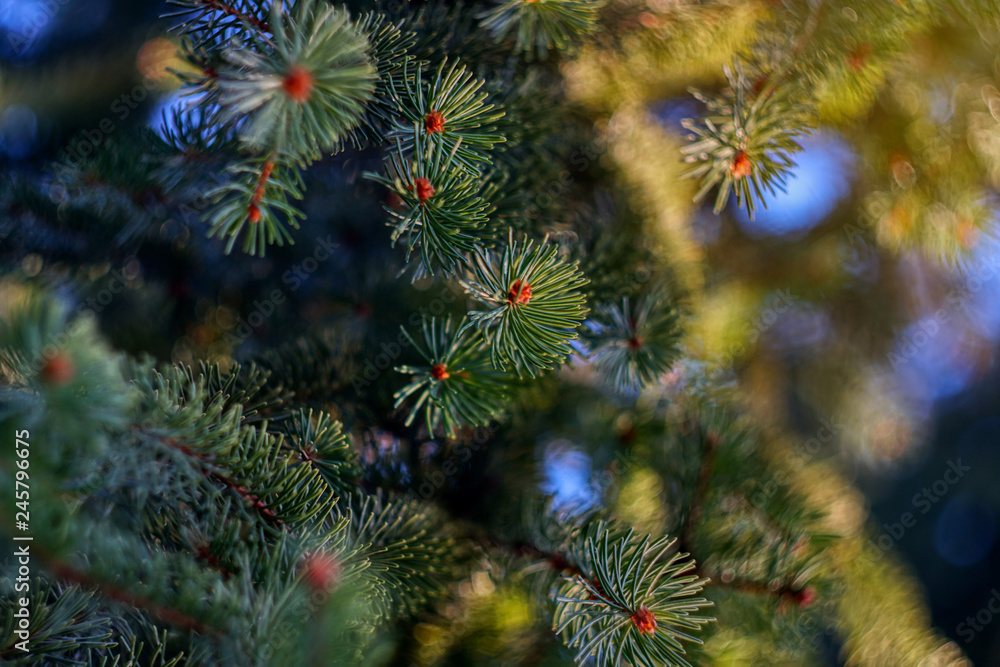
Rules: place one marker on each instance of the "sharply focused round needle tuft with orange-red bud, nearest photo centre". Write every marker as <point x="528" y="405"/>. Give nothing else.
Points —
<point x="535" y="304"/>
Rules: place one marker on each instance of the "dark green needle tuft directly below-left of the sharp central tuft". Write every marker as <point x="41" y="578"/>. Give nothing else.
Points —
<point x="458" y="386"/>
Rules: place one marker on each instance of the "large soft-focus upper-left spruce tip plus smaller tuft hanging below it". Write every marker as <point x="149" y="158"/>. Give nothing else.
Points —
<point x="288" y="101"/>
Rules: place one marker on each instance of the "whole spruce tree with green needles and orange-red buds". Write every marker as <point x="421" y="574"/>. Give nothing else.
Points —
<point x="494" y="239"/>
